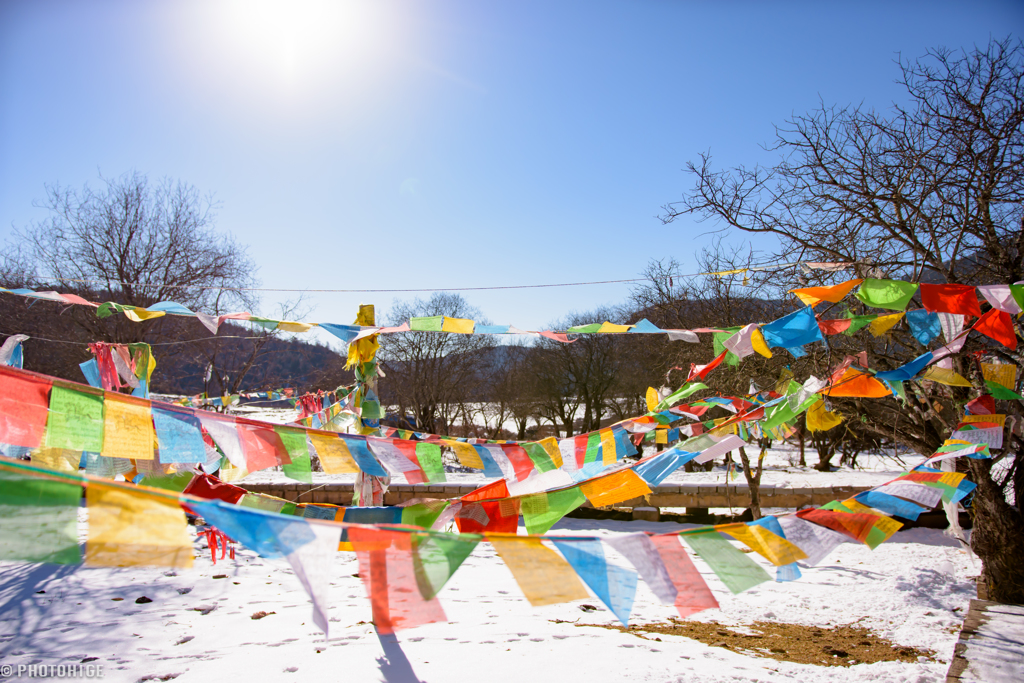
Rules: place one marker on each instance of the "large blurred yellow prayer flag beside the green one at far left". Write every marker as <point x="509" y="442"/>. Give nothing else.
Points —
<point x="134" y="529"/>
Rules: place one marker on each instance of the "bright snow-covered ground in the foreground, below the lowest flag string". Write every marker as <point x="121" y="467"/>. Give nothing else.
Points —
<point x="913" y="589"/>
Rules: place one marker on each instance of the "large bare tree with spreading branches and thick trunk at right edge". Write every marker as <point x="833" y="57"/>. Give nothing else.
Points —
<point x="932" y="190"/>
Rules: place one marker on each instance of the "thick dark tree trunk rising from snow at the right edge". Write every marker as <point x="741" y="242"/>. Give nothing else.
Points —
<point x="998" y="538"/>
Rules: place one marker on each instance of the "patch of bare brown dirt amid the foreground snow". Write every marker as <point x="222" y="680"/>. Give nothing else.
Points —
<point x="835" y="647"/>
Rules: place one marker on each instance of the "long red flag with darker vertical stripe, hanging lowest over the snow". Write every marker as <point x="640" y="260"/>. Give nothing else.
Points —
<point x="390" y="575"/>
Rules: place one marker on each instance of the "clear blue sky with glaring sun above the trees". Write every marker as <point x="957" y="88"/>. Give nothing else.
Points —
<point x="440" y="145"/>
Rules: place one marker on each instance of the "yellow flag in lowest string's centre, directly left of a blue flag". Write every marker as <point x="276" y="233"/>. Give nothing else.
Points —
<point x="543" y="576"/>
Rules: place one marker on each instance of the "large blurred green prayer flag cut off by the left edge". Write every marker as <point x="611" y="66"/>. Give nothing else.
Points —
<point x="38" y="520"/>
